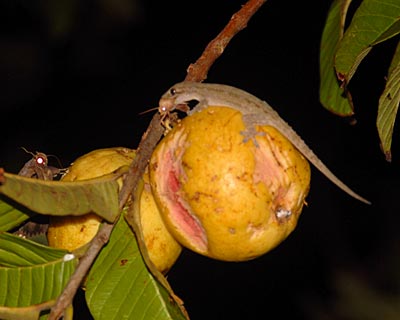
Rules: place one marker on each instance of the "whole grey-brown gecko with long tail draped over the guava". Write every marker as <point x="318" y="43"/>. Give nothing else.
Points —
<point x="254" y="112"/>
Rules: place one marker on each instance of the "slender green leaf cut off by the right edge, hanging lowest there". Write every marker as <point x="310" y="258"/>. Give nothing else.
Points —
<point x="388" y="105"/>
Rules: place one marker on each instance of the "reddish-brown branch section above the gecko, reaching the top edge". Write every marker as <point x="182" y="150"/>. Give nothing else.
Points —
<point x="198" y="70"/>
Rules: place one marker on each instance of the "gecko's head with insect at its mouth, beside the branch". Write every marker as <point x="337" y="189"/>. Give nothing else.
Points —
<point x="177" y="97"/>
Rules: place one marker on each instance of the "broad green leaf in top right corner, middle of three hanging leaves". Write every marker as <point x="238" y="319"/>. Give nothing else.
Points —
<point x="373" y="22"/>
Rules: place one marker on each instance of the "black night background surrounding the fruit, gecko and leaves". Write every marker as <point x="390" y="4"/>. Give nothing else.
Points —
<point x="74" y="76"/>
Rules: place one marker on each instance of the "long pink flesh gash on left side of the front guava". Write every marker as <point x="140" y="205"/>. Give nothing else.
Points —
<point x="182" y="219"/>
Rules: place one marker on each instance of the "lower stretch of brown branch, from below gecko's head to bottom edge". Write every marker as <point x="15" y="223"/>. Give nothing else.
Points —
<point x="136" y="170"/>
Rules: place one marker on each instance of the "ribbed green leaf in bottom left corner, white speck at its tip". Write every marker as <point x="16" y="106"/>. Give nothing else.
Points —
<point x="30" y="274"/>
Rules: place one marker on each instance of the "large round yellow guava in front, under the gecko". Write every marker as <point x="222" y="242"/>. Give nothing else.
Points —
<point x="222" y="197"/>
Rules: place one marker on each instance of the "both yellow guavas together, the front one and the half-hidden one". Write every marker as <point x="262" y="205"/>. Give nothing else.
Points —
<point x="206" y="189"/>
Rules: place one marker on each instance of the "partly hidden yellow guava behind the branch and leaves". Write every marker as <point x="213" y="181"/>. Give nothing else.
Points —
<point x="73" y="232"/>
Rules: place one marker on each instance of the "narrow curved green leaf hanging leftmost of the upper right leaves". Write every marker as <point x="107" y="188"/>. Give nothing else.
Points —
<point x="332" y="96"/>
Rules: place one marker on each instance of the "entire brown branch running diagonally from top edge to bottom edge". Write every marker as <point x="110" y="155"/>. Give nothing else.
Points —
<point x="196" y="72"/>
